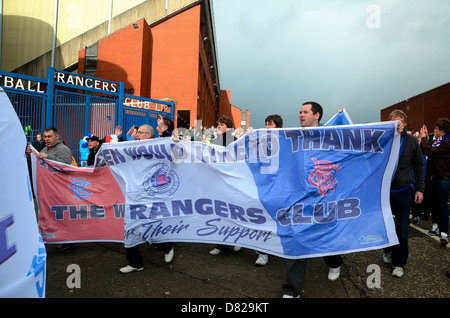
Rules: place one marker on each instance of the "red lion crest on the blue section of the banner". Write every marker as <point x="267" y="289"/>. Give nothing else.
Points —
<point x="321" y="177"/>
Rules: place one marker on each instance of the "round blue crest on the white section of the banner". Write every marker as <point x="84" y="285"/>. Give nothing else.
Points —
<point x="161" y="182"/>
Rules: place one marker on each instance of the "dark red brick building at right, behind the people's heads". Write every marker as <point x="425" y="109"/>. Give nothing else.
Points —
<point x="425" y="108"/>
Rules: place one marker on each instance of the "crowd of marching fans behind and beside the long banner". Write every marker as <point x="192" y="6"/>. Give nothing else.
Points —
<point x="421" y="183"/>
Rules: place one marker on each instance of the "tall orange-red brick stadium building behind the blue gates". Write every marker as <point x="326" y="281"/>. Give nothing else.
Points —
<point x="172" y="59"/>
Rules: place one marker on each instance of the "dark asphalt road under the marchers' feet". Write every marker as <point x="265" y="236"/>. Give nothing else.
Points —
<point x="194" y="275"/>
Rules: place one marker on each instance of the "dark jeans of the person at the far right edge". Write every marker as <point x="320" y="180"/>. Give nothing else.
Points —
<point x="440" y="189"/>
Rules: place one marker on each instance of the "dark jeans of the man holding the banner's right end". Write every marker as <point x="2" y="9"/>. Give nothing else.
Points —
<point x="400" y="206"/>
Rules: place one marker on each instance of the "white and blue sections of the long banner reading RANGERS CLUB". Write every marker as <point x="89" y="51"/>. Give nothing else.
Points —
<point x="290" y="192"/>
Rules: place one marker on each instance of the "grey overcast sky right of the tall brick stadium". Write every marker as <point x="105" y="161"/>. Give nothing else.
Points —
<point x="354" y="54"/>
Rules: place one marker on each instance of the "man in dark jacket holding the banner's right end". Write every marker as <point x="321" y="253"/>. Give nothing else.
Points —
<point x="402" y="187"/>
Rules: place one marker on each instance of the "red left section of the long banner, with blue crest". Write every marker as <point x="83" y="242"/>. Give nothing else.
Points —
<point x="77" y="204"/>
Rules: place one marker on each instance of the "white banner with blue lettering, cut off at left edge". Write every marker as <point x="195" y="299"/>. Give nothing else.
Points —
<point x="22" y="252"/>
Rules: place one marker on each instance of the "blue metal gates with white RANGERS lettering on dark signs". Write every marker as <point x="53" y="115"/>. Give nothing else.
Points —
<point x="76" y="105"/>
